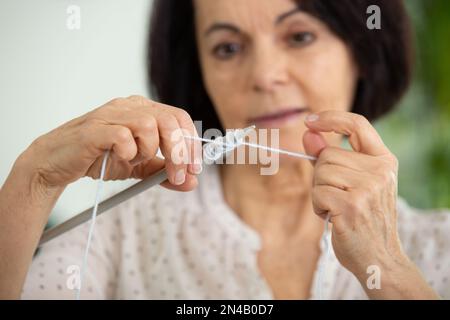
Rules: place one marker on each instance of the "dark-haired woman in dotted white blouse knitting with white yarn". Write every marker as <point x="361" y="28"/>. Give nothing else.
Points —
<point x="310" y="68"/>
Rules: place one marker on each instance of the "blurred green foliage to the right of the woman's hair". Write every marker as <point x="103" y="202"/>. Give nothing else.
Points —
<point x="418" y="131"/>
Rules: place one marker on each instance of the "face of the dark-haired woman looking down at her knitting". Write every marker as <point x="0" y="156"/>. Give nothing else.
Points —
<point x="269" y="64"/>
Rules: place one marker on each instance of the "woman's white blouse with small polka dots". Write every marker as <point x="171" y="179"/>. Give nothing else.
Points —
<point x="164" y="244"/>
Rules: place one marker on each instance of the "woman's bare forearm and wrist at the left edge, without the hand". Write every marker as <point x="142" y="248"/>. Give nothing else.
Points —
<point x="25" y="204"/>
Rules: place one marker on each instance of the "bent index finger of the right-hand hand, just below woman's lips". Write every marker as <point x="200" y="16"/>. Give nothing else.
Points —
<point x="362" y="135"/>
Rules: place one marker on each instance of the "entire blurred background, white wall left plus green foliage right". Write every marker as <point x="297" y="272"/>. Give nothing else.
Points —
<point x="50" y="74"/>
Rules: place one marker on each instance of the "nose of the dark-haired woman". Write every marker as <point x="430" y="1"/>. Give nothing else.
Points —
<point x="268" y="68"/>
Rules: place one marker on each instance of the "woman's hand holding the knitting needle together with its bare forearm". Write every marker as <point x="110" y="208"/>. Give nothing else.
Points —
<point x="131" y="128"/>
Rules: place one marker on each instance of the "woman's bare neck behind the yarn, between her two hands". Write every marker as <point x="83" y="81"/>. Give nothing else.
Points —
<point x="277" y="206"/>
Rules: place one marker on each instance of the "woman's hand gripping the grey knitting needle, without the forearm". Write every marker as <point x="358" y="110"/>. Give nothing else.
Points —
<point x="133" y="129"/>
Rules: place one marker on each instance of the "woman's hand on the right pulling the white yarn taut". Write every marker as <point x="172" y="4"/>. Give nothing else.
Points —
<point x="358" y="190"/>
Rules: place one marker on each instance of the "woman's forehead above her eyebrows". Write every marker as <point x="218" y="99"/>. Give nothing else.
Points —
<point x="245" y="13"/>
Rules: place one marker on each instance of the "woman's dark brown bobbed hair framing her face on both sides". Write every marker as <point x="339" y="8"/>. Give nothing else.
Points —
<point x="384" y="56"/>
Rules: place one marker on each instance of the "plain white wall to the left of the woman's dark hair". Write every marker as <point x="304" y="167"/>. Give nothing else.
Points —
<point x="50" y="74"/>
